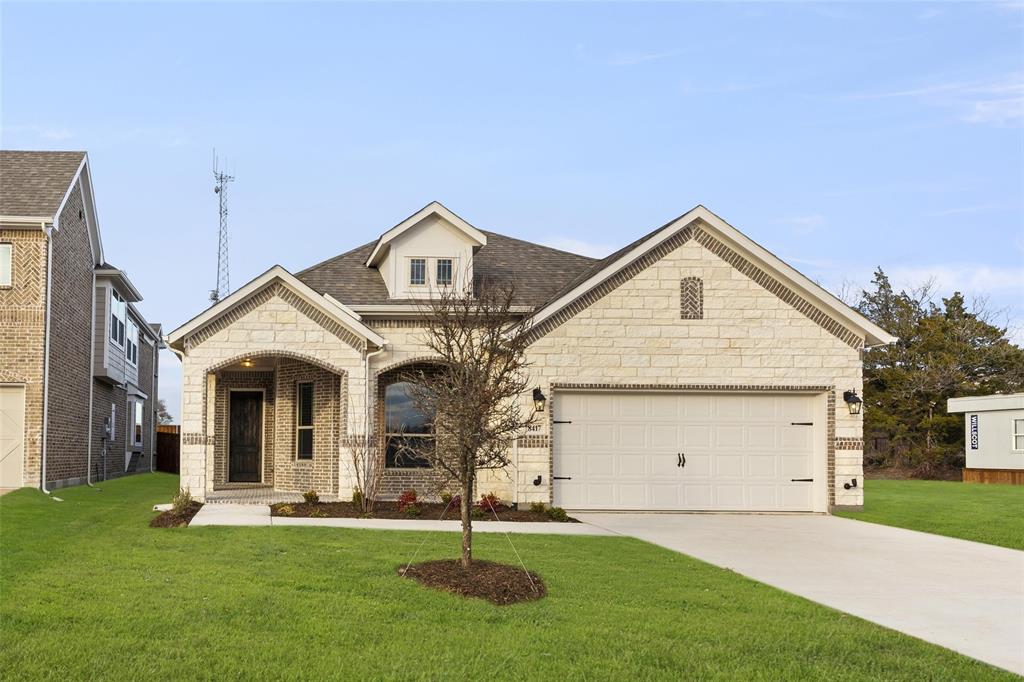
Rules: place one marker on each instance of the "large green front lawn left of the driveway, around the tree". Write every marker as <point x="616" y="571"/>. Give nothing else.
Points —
<point x="90" y="591"/>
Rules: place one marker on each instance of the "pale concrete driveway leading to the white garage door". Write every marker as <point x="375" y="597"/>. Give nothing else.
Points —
<point x="965" y="596"/>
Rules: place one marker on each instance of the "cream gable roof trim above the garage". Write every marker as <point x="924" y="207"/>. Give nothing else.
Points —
<point x="608" y="268"/>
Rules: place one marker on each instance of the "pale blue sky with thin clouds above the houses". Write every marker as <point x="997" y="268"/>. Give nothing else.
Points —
<point x="840" y="137"/>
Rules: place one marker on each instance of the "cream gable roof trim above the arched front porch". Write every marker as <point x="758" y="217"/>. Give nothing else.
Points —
<point x="329" y="307"/>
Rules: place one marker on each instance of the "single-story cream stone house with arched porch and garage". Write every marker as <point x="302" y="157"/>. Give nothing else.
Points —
<point x="692" y="370"/>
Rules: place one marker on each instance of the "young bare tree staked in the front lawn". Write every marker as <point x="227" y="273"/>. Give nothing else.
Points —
<point x="475" y="397"/>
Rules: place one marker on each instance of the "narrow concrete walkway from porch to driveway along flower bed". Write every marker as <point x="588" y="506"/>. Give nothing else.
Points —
<point x="242" y="515"/>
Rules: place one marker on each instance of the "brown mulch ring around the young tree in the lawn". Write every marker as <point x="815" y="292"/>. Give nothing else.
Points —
<point x="498" y="583"/>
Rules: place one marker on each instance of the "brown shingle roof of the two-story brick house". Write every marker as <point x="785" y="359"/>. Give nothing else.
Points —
<point x="32" y="184"/>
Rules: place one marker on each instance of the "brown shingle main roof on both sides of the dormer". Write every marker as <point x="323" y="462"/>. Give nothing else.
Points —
<point x="537" y="272"/>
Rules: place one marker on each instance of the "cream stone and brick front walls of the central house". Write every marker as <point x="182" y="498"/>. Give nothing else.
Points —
<point x="697" y="317"/>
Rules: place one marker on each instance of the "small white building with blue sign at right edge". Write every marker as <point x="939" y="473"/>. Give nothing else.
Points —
<point x="994" y="438"/>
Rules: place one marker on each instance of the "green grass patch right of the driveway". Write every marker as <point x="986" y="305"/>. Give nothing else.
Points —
<point x="985" y="514"/>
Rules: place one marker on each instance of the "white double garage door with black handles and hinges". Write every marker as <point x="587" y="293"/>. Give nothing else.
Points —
<point x="634" y="451"/>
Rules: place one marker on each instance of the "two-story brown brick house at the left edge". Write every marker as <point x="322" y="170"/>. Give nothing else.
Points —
<point x="78" y="362"/>
